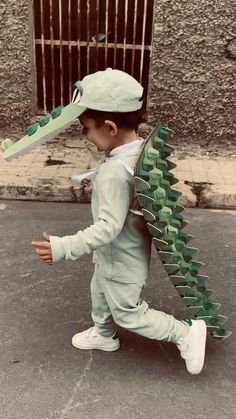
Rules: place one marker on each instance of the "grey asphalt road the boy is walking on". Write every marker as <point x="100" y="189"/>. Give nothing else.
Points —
<point x="41" y="307"/>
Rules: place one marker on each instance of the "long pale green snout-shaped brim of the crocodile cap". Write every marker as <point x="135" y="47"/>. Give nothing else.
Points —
<point x="49" y="131"/>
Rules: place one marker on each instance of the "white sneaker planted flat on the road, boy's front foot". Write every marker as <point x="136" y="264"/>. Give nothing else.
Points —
<point x="90" y="339"/>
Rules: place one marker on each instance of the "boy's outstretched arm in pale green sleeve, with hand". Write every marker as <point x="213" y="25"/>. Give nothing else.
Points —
<point x="114" y="201"/>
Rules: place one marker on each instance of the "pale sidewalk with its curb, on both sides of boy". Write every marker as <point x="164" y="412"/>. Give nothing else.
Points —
<point x="45" y="175"/>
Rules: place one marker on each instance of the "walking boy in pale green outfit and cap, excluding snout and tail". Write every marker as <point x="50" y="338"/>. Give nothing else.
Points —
<point x="118" y="237"/>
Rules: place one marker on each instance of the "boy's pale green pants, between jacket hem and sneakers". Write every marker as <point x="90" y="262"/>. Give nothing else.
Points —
<point x="119" y="303"/>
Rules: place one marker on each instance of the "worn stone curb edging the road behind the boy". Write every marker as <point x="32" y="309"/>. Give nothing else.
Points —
<point x="61" y="190"/>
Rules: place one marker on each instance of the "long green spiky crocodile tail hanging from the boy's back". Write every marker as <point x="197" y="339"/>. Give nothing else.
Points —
<point x="165" y="223"/>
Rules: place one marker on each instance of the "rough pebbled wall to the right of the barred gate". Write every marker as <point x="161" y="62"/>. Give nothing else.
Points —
<point x="193" y="78"/>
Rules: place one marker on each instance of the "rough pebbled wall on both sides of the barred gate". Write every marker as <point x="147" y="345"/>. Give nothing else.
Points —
<point x="192" y="82"/>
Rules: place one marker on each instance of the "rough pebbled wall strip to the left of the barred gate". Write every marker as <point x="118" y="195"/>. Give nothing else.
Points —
<point x="15" y="64"/>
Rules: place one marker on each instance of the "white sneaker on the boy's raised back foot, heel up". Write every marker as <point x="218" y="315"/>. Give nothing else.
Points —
<point x="192" y="346"/>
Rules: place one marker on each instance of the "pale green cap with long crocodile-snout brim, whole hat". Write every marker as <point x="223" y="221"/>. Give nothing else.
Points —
<point x="109" y="90"/>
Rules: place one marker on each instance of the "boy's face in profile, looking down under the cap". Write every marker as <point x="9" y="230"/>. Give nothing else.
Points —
<point x="101" y="136"/>
